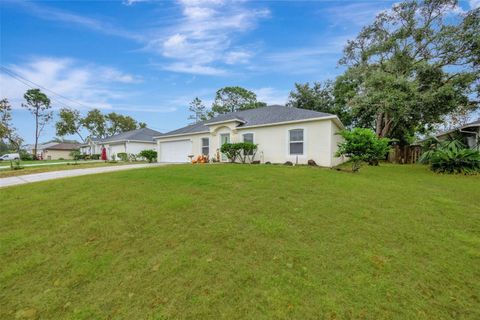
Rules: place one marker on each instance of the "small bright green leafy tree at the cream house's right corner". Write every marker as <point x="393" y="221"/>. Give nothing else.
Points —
<point x="362" y="145"/>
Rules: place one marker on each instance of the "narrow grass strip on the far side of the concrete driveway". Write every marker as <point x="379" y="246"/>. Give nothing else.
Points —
<point x="5" y="173"/>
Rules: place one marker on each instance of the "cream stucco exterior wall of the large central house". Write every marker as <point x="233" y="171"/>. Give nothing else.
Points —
<point x="273" y="141"/>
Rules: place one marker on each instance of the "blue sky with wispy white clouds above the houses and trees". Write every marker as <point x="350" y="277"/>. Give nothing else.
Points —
<point x="149" y="59"/>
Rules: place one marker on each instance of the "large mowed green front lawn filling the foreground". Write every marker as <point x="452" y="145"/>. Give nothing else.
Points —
<point x="243" y="242"/>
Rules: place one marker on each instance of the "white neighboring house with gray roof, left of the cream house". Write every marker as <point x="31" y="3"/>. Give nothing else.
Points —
<point x="130" y="142"/>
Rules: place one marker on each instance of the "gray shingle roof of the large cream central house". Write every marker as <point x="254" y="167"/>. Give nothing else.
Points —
<point x="253" y="117"/>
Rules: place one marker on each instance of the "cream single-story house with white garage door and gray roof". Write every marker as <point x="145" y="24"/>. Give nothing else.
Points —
<point x="281" y="133"/>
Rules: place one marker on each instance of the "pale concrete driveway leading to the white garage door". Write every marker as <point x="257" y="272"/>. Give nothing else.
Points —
<point x="36" y="177"/>
